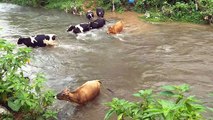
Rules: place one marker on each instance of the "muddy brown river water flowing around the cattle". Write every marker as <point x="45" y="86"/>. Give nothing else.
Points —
<point x="143" y="56"/>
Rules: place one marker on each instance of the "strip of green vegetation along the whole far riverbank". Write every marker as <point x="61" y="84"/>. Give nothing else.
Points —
<point x="157" y="10"/>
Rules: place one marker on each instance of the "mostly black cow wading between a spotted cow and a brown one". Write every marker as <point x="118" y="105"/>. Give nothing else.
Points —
<point x="98" y="23"/>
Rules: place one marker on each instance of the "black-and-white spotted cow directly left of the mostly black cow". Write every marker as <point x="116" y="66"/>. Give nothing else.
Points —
<point x="79" y="28"/>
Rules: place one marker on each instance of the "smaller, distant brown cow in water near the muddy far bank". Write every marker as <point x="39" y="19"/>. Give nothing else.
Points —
<point x="117" y="28"/>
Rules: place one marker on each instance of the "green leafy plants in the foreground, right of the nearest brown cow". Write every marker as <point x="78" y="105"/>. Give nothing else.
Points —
<point x="171" y="104"/>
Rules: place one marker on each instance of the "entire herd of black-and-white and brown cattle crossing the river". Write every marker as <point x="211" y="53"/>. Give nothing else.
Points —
<point x="91" y="89"/>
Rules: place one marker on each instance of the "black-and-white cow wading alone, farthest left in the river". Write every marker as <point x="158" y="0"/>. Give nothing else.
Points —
<point x="41" y="40"/>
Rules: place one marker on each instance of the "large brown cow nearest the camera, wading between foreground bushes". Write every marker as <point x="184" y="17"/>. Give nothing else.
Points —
<point x="87" y="92"/>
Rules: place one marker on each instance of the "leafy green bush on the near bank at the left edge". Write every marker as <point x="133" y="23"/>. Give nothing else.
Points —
<point x="18" y="93"/>
